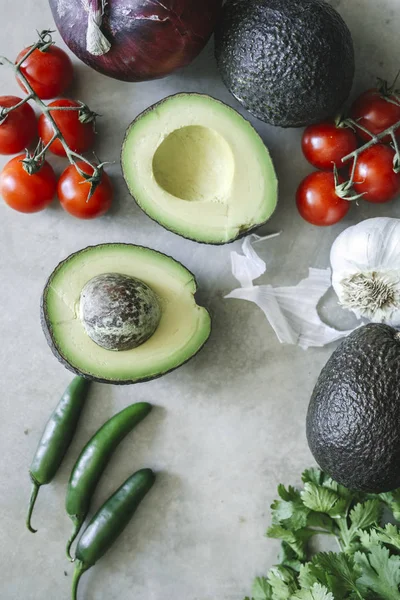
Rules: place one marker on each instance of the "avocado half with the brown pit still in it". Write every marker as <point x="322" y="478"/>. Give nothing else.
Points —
<point x="119" y="313"/>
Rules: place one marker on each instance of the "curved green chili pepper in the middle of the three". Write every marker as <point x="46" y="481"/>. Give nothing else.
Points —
<point x="94" y="459"/>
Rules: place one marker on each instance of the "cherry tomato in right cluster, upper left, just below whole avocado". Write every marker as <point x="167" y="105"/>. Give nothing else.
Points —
<point x="325" y="144"/>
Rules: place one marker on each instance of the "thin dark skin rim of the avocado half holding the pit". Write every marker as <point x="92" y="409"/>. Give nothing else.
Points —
<point x="48" y="333"/>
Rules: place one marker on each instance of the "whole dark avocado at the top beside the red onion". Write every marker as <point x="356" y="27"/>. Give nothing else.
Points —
<point x="289" y="62"/>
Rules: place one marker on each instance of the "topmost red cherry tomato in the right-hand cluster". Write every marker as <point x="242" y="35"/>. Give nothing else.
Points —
<point x="375" y="112"/>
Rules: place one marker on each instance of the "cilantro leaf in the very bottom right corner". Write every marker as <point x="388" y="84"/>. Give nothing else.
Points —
<point x="380" y="572"/>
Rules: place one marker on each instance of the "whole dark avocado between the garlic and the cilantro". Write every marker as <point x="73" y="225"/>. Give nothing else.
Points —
<point x="353" y="420"/>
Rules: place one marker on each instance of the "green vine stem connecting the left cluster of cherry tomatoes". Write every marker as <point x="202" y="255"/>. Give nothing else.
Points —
<point x="44" y="43"/>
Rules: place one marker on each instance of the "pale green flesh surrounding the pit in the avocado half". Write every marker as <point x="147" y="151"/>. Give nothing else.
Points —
<point x="183" y="329"/>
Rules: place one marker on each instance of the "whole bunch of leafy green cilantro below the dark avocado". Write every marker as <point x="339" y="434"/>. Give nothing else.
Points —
<point x="367" y="565"/>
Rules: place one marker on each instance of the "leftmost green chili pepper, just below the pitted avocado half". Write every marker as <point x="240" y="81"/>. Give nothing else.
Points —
<point x="56" y="438"/>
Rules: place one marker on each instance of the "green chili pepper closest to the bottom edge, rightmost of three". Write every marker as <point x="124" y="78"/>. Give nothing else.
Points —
<point x="109" y="522"/>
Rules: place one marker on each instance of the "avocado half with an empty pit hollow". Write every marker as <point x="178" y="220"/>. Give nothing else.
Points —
<point x="198" y="168"/>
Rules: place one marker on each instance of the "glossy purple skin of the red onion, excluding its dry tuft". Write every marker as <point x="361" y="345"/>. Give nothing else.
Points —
<point x="149" y="38"/>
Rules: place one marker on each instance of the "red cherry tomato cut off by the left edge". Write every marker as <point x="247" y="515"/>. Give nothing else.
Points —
<point x="19" y="128"/>
